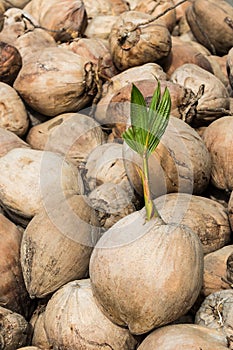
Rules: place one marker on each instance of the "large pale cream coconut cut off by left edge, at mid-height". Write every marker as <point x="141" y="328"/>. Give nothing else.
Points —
<point x="29" y="176"/>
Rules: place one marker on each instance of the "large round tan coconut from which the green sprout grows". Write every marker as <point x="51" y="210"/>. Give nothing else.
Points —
<point x="145" y="274"/>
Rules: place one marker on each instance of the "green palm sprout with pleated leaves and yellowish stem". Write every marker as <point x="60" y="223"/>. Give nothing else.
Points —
<point x="143" y="136"/>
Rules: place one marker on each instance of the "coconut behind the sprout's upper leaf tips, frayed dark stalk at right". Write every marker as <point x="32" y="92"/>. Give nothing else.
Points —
<point x="117" y="111"/>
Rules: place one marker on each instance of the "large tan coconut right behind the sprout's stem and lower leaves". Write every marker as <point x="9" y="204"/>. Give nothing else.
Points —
<point x="180" y="163"/>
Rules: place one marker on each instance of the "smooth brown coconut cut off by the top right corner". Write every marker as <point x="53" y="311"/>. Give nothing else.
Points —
<point x="210" y="32"/>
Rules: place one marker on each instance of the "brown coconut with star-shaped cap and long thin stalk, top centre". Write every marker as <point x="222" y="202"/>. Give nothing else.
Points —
<point x="134" y="42"/>
